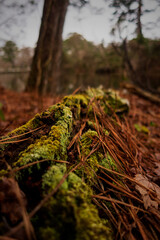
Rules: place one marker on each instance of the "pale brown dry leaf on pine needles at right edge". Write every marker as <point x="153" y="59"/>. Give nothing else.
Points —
<point x="148" y="202"/>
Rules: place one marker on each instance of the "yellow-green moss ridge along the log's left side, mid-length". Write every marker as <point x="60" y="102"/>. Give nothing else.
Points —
<point x="53" y="146"/>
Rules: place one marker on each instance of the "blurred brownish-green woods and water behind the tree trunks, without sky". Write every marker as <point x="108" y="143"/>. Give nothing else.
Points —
<point x="85" y="64"/>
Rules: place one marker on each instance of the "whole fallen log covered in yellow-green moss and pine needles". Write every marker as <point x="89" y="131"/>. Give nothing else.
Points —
<point x="48" y="153"/>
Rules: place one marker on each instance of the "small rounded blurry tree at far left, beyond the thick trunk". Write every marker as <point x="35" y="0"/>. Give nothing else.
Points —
<point x="9" y="52"/>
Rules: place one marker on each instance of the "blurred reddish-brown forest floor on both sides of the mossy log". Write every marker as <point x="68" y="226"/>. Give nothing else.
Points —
<point x="143" y="117"/>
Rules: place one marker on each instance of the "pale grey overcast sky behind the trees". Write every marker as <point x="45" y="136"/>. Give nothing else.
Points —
<point x="94" y="27"/>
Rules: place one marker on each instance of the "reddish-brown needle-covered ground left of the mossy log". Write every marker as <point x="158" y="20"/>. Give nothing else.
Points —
<point x="18" y="108"/>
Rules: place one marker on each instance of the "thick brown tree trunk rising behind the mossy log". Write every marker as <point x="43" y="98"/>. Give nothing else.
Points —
<point x="45" y="68"/>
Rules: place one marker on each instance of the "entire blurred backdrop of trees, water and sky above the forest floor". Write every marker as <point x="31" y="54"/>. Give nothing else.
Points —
<point x="53" y="47"/>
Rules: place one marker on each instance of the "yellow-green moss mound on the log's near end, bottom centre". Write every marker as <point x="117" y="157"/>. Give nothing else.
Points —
<point x="70" y="214"/>
